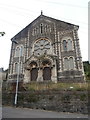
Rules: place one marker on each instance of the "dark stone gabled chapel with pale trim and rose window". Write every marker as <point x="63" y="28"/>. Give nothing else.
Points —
<point x="46" y="50"/>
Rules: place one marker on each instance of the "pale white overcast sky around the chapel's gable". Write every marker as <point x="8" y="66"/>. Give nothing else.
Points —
<point x="17" y="14"/>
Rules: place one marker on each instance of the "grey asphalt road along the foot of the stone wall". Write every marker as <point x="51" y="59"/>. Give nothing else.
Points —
<point x="10" y="112"/>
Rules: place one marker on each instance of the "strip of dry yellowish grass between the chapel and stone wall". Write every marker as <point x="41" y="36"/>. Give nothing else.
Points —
<point x="53" y="86"/>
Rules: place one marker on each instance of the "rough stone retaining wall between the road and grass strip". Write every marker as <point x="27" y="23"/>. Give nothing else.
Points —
<point x="54" y="100"/>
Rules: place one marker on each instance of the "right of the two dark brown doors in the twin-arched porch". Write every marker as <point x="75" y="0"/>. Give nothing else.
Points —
<point x="46" y="73"/>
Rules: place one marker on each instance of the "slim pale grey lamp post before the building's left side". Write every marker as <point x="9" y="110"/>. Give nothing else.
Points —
<point x="18" y="72"/>
